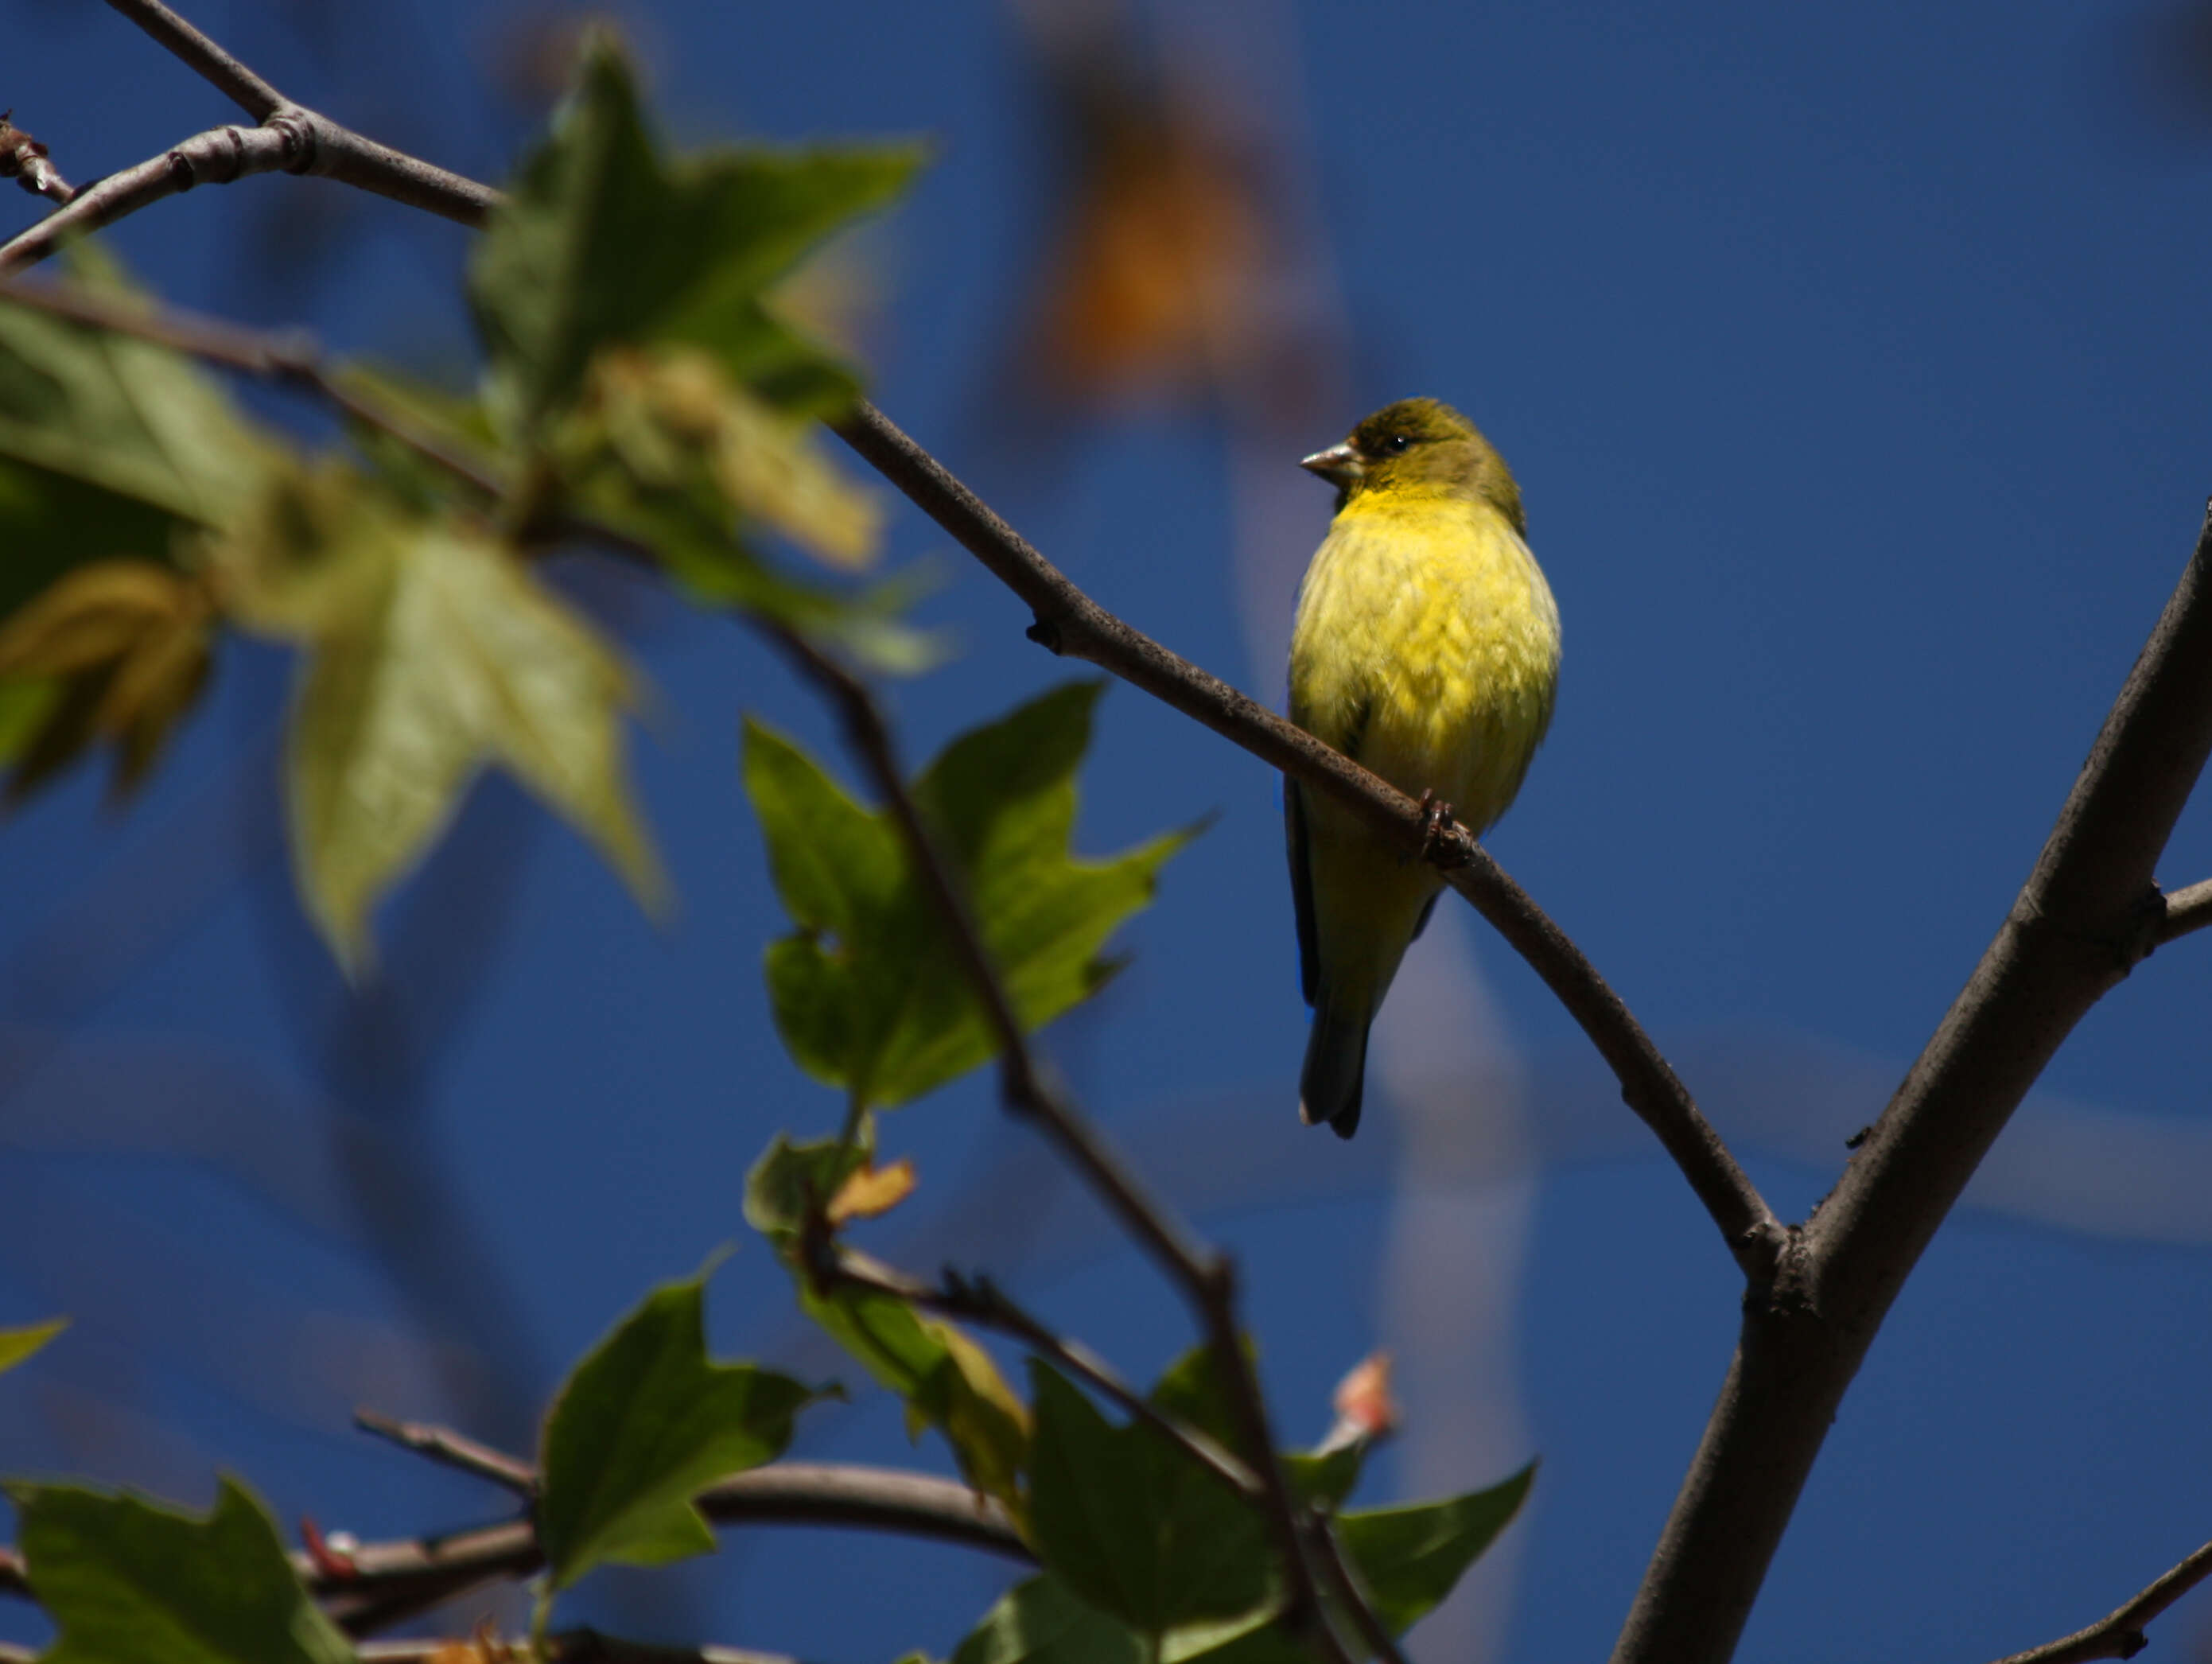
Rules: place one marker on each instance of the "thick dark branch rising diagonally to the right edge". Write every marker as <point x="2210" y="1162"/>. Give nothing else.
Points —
<point x="2085" y="917"/>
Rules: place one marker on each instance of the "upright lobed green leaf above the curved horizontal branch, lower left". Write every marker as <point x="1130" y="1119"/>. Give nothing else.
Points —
<point x="640" y="1428"/>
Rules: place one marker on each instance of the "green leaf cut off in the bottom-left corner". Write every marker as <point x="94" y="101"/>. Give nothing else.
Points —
<point x="129" y="1581"/>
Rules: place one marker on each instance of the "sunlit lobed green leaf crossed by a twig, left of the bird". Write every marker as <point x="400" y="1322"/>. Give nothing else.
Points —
<point x="868" y="992"/>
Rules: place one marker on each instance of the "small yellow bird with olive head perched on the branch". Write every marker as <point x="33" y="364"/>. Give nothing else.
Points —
<point x="1426" y="649"/>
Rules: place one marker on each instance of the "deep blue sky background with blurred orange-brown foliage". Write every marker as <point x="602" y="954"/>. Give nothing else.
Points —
<point x="1859" y="375"/>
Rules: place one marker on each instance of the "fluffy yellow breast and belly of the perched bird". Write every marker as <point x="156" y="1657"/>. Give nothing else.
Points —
<point x="1428" y="649"/>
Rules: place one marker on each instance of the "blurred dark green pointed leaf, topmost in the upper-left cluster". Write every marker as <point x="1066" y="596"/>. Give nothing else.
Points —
<point x="605" y="242"/>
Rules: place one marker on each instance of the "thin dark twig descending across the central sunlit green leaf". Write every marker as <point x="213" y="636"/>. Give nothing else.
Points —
<point x="1207" y="1276"/>
